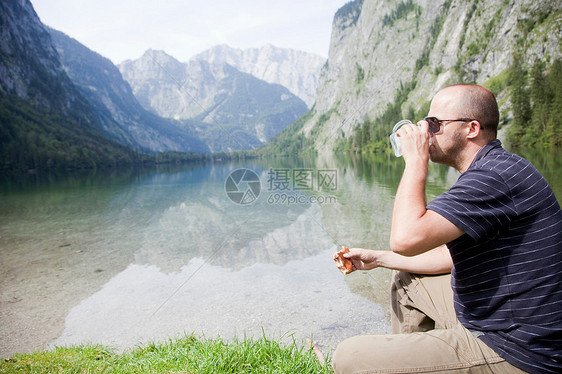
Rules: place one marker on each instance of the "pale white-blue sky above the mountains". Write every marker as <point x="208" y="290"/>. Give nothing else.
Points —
<point x="125" y="29"/>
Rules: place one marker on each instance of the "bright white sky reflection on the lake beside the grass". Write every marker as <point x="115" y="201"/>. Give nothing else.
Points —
<point x="305" y="297"/>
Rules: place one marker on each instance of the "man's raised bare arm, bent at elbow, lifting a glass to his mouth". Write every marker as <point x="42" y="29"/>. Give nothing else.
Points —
<point x="415" y="229"/>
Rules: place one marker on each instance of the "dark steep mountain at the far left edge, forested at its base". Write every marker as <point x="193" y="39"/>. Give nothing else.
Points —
<point x="45" y="122"/>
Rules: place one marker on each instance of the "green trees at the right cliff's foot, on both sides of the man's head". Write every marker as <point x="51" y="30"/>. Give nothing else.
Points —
<point x="536" y="104"/>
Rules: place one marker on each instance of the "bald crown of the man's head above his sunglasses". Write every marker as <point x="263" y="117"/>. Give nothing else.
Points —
<point x="473" y="101"/>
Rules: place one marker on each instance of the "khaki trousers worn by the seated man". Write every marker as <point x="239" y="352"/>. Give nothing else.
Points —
<point x="426" y="336"/>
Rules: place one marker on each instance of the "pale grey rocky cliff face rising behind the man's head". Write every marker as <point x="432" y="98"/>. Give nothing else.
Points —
<point x="382" y="48"/>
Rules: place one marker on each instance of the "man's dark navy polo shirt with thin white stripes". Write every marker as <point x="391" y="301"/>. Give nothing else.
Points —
<point x="507" y="275"/>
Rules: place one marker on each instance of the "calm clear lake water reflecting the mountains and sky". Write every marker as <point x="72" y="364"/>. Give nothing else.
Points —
<point x="130" y="257"/>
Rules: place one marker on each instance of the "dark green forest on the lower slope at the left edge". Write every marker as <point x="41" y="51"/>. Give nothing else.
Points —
<point x="37" y="138"/>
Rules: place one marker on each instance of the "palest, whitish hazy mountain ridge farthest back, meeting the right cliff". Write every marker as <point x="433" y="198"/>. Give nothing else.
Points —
<point x="297" y="70"/>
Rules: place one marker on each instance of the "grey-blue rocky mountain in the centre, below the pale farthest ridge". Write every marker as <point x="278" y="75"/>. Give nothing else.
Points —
<point x="235" y="110"/>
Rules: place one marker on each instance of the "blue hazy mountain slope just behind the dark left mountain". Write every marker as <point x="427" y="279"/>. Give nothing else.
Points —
<point x="115" y="106"/>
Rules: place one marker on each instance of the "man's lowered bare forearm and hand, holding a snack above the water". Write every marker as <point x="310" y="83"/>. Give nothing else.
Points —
<point x="435" y="261"/>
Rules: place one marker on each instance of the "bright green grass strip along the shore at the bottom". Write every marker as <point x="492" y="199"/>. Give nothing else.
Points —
<point x="186" y="355"/>
